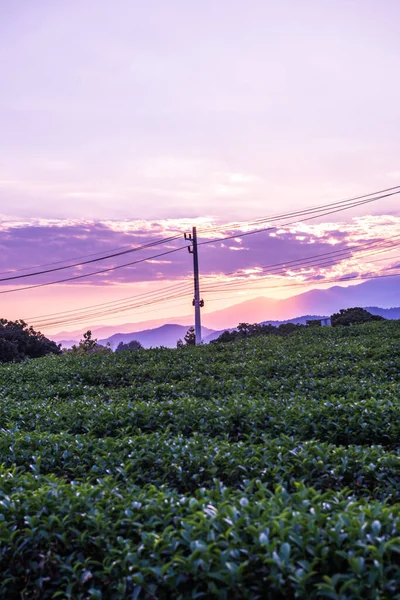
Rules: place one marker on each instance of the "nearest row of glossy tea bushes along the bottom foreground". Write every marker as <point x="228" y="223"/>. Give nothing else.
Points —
<point x="108" y="541"/>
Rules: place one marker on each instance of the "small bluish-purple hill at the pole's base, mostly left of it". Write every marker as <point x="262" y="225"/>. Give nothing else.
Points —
<point x="167" y="335"/>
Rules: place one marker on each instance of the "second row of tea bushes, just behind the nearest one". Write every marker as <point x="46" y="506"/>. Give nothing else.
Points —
<point x="189" y="463"/>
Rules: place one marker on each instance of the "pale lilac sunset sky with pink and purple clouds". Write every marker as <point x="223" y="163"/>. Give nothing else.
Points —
<point x="122" y="122"/>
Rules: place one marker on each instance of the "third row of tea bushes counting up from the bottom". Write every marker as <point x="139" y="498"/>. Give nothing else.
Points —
<point x="336" y="420"/>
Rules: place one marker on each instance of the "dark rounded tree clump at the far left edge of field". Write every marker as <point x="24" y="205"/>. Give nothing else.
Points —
<point x="18" y="341"/>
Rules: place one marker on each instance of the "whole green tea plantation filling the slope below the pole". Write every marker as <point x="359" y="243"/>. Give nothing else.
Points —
<point x="266" y="468"/>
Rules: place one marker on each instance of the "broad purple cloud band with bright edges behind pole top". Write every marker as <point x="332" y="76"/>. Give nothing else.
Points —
<point x="298" y="252"/>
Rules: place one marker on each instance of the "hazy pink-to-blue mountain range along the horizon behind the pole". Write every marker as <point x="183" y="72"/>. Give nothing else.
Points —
<point x="378" y="295"/>
